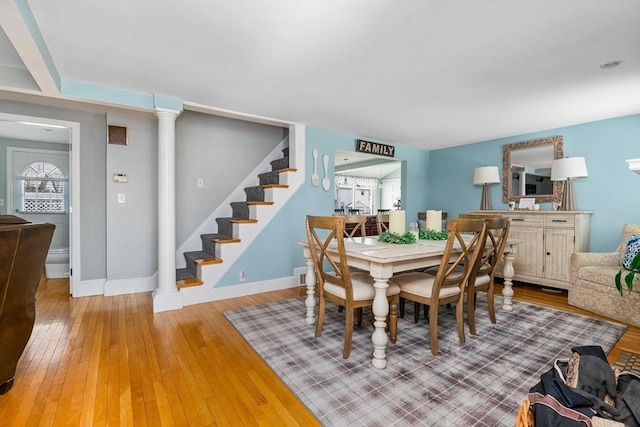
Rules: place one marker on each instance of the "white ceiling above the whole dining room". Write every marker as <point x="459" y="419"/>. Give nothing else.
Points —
<point x="429" y="74"/>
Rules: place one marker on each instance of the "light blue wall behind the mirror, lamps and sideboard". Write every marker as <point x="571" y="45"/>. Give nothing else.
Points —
<point x="611" y="191"/>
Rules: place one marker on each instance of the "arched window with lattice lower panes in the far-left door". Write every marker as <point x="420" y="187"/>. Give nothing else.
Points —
<point x="43" y="187"/>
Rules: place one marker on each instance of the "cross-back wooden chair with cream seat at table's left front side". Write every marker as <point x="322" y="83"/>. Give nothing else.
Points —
<point x="336" y="283"/>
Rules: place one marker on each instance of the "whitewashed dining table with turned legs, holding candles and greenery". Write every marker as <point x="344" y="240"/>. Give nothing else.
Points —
<point x="382" y="260"/>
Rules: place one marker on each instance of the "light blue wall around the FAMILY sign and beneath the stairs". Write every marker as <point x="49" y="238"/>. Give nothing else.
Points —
<point x="275" y="252"/>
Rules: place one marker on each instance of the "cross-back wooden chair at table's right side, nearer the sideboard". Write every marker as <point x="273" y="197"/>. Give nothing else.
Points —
<point x="482" y="278"/>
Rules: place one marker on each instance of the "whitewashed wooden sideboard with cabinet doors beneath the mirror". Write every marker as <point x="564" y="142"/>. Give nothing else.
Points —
<point x="546" y="241"/>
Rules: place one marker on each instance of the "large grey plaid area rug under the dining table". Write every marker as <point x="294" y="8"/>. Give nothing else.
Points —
<point x="479" y="383"/>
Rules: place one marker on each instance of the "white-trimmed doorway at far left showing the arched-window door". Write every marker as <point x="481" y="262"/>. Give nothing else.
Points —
<point x="42" y="182"/>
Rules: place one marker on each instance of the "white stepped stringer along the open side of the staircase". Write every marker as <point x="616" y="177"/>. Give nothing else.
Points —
<point x="211" y="275"/>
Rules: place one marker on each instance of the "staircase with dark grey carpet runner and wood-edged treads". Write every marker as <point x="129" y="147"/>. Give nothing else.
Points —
<point x="205" y="266"/>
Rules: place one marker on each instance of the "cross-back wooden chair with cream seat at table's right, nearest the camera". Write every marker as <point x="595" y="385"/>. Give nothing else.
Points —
<point x="462" y="251"/>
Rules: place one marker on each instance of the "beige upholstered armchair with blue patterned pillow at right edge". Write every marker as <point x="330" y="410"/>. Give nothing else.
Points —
<point x="592" y="286"/>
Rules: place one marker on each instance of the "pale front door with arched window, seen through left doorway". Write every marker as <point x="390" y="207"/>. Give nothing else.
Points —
<point x="40" y="189"/>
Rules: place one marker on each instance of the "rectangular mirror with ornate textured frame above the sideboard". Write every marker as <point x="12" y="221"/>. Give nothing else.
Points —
<point x="526" y="170"/>
